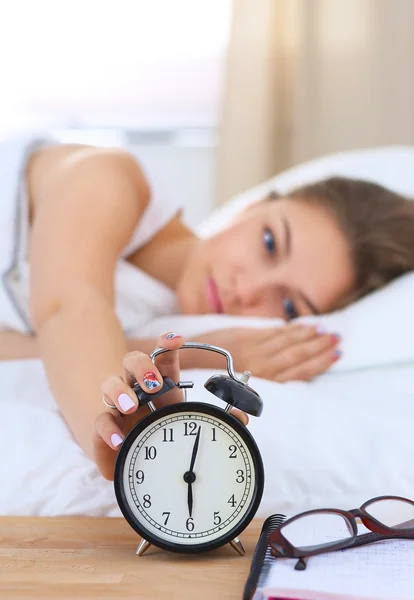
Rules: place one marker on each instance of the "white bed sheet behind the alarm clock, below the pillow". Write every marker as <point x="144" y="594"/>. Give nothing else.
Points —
<point x="334" y="442"/>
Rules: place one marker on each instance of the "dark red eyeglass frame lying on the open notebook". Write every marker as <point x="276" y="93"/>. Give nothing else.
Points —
<point x="284" y="549"/>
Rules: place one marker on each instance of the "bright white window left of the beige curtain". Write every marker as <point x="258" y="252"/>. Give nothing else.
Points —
<point x="140" y="64"/>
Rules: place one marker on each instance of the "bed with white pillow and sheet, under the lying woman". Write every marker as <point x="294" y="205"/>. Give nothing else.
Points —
<point x="336" y="441"/>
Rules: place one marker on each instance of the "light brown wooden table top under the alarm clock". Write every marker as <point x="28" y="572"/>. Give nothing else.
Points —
<point x="81" y="558"/>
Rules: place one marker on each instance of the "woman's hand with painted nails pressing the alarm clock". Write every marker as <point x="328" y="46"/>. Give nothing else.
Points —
<point x="112" y="425"/>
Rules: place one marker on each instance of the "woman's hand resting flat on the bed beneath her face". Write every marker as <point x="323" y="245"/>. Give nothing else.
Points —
<point x="291" y="352"/>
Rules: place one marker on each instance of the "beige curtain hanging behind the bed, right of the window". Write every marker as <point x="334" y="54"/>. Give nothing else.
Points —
<point x="309" y="77"/>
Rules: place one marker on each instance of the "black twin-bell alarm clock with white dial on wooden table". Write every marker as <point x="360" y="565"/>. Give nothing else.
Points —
<point x="189" y="477"/>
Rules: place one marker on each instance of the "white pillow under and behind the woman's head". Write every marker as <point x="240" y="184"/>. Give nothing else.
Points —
<point x="377" y="330"/>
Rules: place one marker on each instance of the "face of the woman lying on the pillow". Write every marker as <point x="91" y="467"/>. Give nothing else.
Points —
<point x="282" y="258"/>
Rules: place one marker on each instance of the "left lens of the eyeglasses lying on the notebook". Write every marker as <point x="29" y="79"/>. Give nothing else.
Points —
<point x="317" y="529"/>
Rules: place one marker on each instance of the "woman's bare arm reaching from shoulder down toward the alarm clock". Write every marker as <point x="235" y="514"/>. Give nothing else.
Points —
<point x="89" y="203"/>
